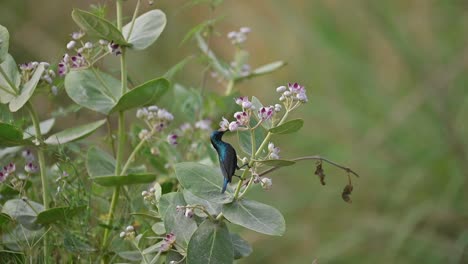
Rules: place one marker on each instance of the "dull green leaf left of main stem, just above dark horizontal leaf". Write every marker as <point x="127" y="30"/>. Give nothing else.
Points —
<point x="99" y="162"/>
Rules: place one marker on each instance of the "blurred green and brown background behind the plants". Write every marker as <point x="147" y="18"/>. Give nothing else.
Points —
<point x="387" y="91"/>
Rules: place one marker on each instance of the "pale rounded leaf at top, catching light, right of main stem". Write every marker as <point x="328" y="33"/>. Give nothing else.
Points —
<point x="146" y="30"/>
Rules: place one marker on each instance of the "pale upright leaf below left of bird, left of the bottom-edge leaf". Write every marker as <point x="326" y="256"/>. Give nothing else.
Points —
<point x="176" y="222"/>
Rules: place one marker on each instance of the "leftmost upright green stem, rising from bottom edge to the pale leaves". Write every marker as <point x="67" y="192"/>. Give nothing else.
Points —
<point x="42" y="168"/>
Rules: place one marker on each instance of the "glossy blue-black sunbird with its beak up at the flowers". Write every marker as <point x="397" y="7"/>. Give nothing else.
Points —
<point x="227" y="157"/>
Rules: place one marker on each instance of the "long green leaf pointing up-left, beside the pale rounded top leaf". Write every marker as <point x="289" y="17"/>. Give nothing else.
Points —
<point x="97" y="26"/>
